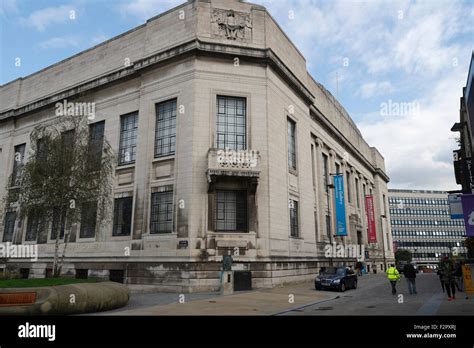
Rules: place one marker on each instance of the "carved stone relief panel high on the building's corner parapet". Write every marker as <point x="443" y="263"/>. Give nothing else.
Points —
<point x="231" y="24"/>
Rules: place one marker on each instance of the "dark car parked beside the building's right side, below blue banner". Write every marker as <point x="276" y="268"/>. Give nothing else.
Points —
<point x="336" y="278"/>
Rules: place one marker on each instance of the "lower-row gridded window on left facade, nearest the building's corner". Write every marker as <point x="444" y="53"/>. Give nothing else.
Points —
<point x="162" y="212"/>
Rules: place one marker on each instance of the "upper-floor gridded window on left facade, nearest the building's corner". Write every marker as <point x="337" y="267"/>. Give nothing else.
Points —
<point x="165" y="133"/>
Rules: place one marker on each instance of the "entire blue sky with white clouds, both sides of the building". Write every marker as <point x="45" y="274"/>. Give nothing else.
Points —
<point x="397" y="67"/>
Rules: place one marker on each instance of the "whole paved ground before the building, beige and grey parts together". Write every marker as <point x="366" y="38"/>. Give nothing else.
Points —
<point x="372" y="297"/>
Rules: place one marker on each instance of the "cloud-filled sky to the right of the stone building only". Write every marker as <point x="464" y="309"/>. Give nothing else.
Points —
<point x="402" y="51"/>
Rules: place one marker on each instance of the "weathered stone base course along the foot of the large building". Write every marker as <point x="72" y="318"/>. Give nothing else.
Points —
<point x="183" y="277"/>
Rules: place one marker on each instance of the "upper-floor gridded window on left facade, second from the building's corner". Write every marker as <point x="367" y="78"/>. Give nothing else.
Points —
<point x="128" y="138"/>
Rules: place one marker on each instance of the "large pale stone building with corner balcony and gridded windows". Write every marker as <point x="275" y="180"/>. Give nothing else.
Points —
<point x="179" y="98"/>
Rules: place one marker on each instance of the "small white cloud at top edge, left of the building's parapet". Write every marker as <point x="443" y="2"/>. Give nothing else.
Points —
<point x="145" y="9"/>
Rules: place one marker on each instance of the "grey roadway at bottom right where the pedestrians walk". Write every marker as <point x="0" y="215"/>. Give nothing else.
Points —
<point x="373" y="297"/>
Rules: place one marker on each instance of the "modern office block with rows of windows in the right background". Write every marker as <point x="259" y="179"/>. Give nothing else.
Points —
<point x="421" y="223"/>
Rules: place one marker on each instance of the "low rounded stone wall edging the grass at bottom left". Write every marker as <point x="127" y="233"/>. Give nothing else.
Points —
<point x="64" y="299"/>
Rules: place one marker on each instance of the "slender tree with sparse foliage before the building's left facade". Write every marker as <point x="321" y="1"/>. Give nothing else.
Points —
<point x="68" y="169"/>
